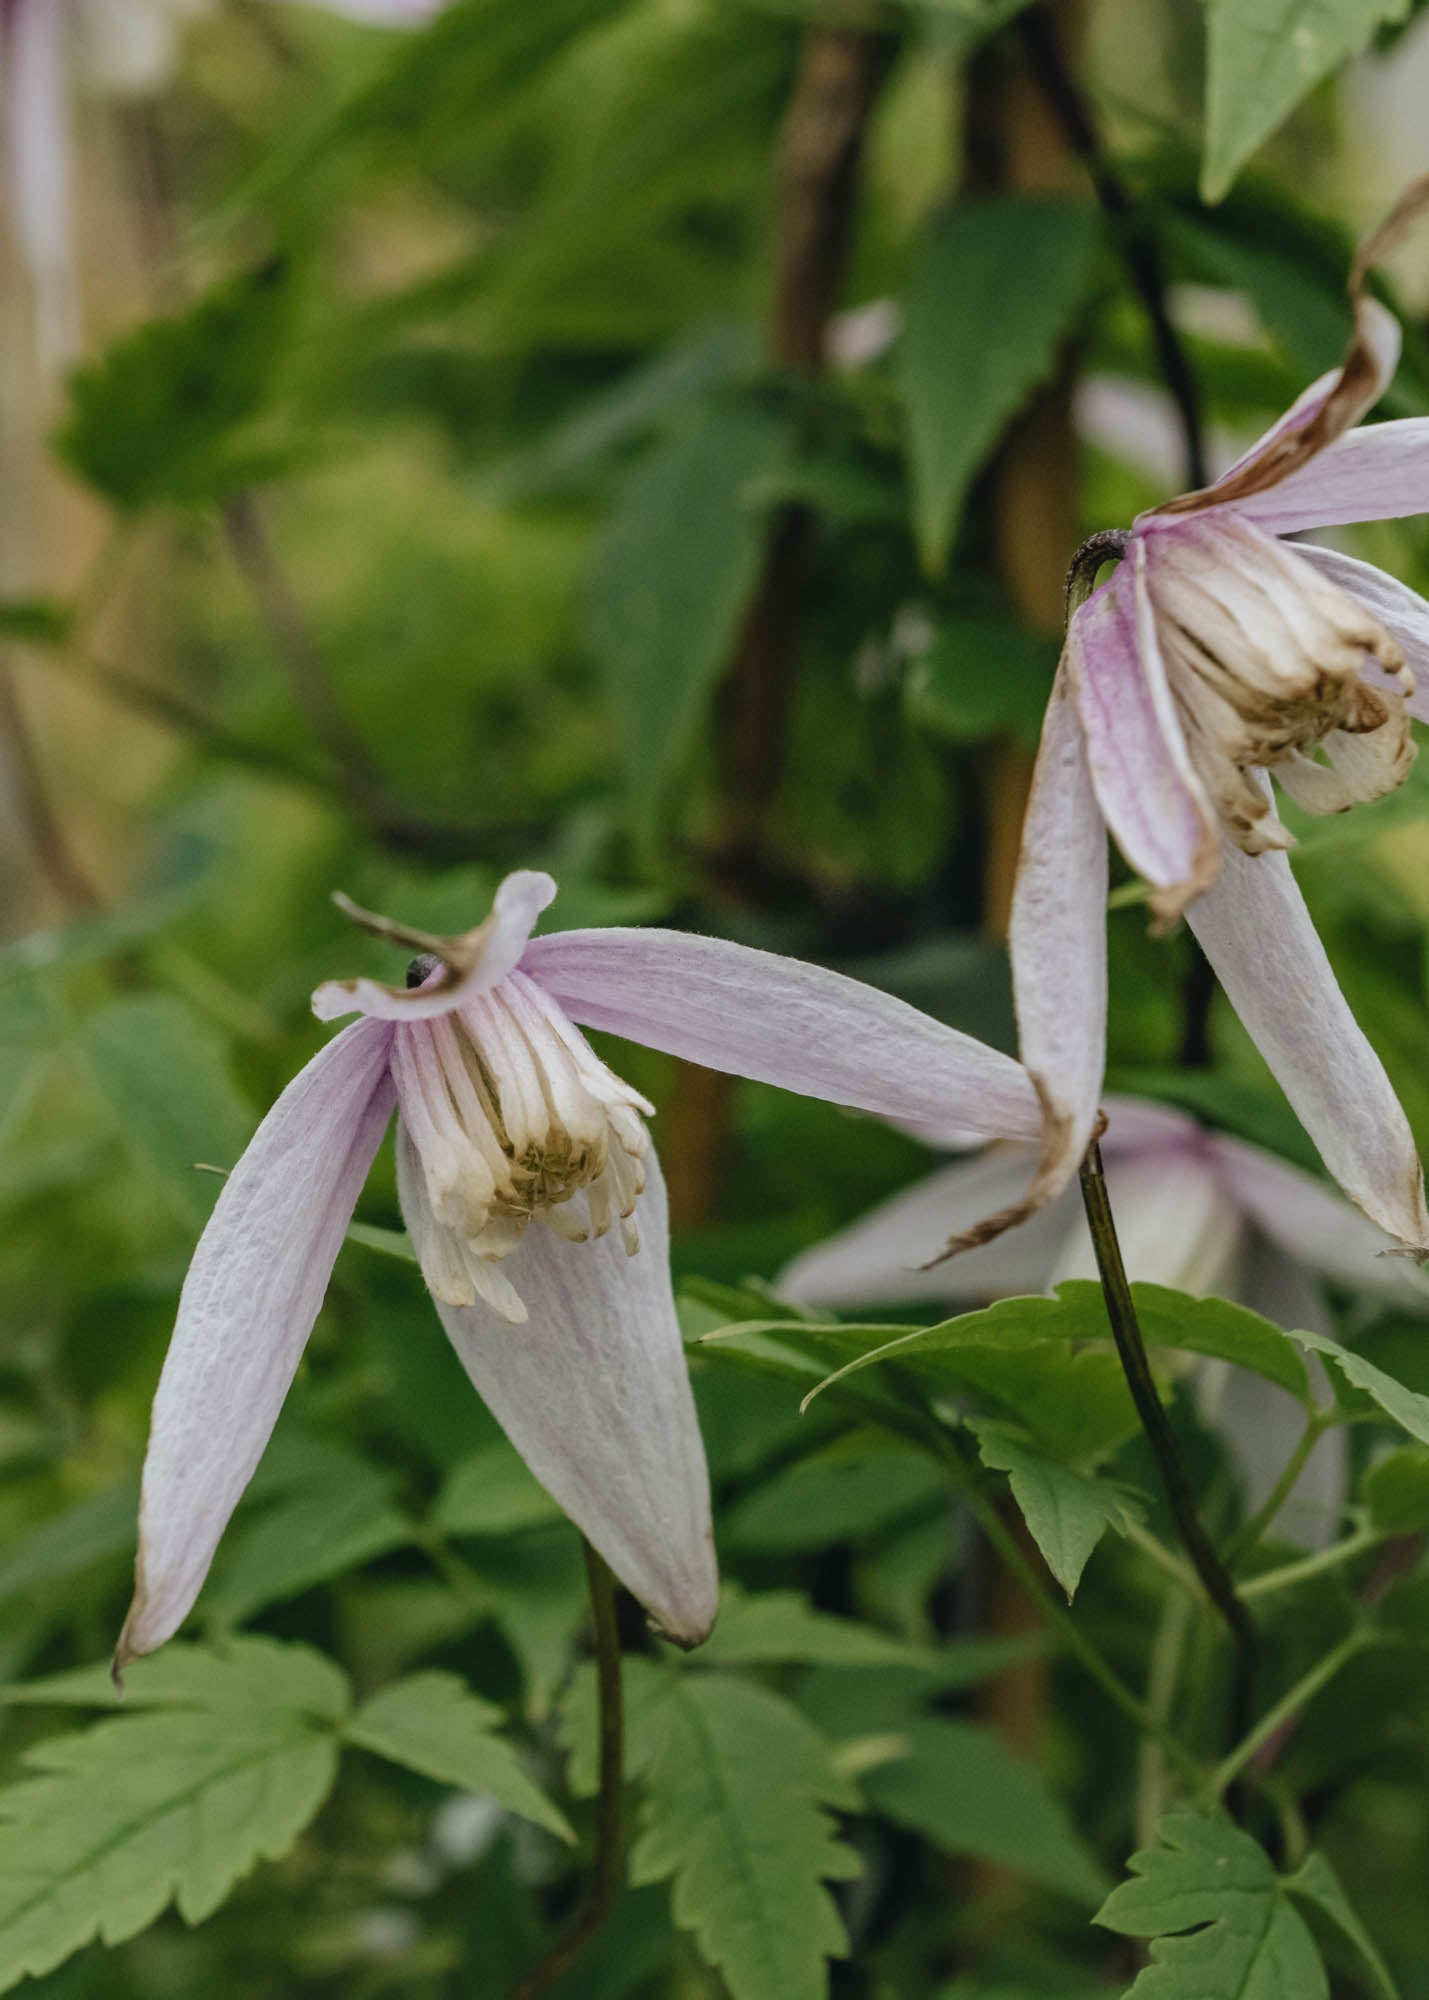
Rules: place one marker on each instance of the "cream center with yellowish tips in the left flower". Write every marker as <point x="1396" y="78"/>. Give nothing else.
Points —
<point x="509" y="1119"/>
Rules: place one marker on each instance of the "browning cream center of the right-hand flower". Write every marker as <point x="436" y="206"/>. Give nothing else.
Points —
<point x="1268" y="667"/>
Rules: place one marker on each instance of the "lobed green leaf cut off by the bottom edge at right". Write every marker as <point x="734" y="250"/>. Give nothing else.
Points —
<point x="1218" y="1917"/>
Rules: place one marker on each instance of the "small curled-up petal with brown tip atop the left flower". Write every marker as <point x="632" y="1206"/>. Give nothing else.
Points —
<point x="469" y="965"/>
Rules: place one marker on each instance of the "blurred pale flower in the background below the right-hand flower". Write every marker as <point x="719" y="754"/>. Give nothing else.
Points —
<point x="1196" y="1211"/>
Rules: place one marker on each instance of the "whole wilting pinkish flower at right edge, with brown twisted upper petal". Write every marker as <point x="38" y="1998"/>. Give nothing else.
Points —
<point x="1214" y="659"/>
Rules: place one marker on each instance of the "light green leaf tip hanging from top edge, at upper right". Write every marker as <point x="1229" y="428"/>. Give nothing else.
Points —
<point x="1262" y="59"/>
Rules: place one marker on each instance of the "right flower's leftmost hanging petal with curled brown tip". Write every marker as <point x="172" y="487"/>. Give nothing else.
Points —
<point x="1060" y="943"/>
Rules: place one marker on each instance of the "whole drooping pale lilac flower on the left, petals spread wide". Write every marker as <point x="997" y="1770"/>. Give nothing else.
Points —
<point x="537" y="1211"/>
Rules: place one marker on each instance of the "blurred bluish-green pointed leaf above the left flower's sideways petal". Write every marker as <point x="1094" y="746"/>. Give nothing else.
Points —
<point x="671" y="581"/>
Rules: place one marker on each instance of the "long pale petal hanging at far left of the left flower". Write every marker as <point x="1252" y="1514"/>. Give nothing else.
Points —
<point x="245" y="1317"/>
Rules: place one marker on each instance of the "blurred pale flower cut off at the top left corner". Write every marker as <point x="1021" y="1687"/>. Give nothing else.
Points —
<point x="117" y="49"/>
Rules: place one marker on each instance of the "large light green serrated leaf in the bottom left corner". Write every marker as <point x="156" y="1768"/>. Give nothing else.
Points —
<point x="135" y="1813"/>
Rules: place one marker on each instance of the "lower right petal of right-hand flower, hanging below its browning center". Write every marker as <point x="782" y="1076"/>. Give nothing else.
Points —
<point x="1256" y="931"/>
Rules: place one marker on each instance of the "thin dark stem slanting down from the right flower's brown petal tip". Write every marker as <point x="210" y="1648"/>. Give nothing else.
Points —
<point x="1132" y="1349"/>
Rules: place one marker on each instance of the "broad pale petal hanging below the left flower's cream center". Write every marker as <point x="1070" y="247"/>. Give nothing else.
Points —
<point x="595" y="1395"/>
